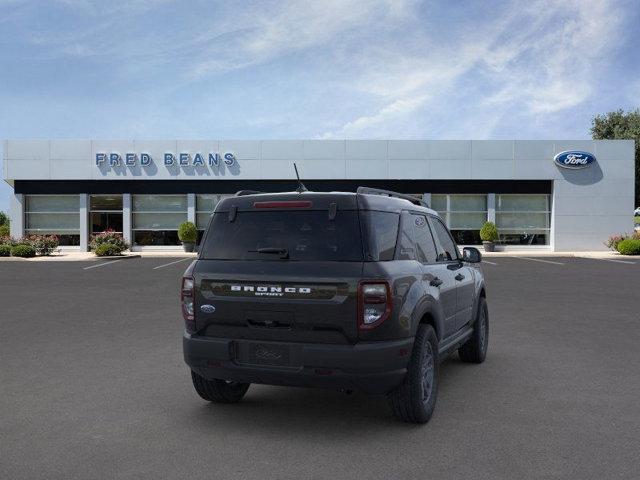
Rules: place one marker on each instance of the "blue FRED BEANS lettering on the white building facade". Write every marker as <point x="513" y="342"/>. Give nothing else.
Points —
<point x="169" y="159"/>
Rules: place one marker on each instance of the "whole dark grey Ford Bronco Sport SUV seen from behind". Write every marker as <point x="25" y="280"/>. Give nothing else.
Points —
<point x="356" y="291"/>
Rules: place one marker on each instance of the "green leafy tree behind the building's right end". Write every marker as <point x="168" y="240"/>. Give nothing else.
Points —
<point x="620" y="125"/>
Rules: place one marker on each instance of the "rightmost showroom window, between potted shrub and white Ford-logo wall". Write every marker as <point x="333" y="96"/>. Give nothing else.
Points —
<point x="523" y="219"/>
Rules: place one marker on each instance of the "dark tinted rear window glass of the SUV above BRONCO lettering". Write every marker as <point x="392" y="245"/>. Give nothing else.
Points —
<point x="304" y="234"/>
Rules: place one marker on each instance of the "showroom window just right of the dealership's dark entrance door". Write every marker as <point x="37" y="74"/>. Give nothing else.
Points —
<point x="156" y="218"/>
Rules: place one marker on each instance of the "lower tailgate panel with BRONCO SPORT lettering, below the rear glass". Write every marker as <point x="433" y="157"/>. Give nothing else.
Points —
<point x="288" y="301"/>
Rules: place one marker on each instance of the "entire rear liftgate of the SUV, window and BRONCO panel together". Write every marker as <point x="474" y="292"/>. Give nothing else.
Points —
<point x="280" y="274"/>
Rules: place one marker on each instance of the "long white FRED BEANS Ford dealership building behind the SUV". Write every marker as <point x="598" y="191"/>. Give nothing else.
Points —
<point x="542" y="194"/>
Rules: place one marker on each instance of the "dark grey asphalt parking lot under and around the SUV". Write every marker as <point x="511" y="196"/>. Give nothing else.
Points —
<point x="93" y="385"/>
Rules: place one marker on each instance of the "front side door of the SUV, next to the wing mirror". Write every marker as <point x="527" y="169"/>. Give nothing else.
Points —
<point x="449" y="255"/>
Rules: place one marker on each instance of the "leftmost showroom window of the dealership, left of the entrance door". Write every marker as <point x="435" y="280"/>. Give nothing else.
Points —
<point x="54" y="215"/>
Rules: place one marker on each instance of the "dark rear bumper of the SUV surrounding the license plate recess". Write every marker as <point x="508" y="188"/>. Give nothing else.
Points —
<point x="372" y="367"/>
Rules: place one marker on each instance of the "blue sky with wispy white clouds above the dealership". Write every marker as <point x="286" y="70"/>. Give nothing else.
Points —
<point x="286" y="69"/>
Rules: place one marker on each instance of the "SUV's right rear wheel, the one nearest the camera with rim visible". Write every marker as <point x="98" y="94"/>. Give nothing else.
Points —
<point x="415" y="400"/>
